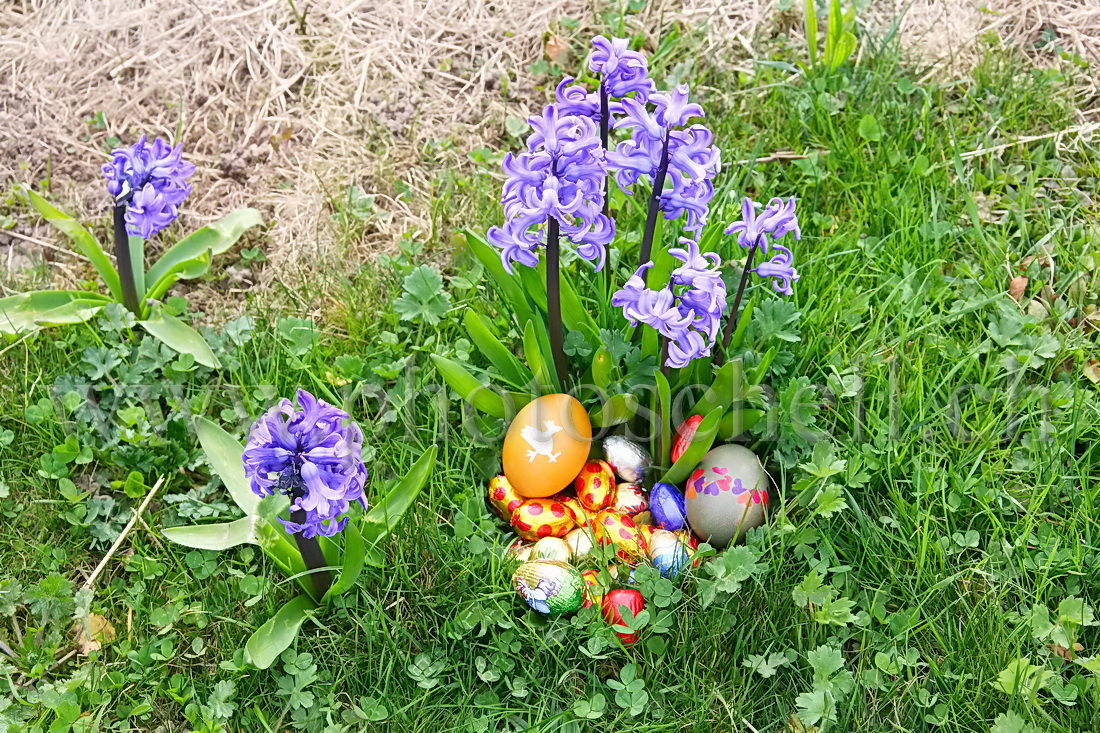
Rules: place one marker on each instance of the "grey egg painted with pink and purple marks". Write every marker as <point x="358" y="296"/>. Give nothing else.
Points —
<point x="727" y="496"/>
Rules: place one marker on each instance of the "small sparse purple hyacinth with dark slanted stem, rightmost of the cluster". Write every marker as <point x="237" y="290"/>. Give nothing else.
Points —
<point x="760" y="233"/>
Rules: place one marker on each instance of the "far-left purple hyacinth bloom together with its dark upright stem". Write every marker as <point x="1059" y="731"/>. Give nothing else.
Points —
<point x="148" y="184"/>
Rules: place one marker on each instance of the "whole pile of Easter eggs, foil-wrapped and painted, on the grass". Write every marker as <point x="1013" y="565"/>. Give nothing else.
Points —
<point x="562" y="505"/>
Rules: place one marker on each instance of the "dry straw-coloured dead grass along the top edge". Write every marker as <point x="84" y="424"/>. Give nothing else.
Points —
<point x="283" y="105"/>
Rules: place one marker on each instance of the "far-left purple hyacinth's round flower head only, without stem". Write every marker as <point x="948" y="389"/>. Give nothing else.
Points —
<point x="151" y="182"/>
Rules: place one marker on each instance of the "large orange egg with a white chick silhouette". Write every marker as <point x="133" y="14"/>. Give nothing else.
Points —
<point x="547" y="445"/>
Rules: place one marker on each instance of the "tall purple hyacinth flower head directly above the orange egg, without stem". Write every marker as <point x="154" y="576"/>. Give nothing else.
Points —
<point x="559" y="178"/>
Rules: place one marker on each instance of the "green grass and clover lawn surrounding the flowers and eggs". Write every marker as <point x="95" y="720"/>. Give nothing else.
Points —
<point x="967" y="434"/>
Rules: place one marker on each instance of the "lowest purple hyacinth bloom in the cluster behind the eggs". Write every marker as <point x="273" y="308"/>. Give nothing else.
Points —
<point x="687" y="313"/>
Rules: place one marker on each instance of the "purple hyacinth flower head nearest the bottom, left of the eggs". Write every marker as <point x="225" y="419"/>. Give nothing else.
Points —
<point x="314" y="455"/>
